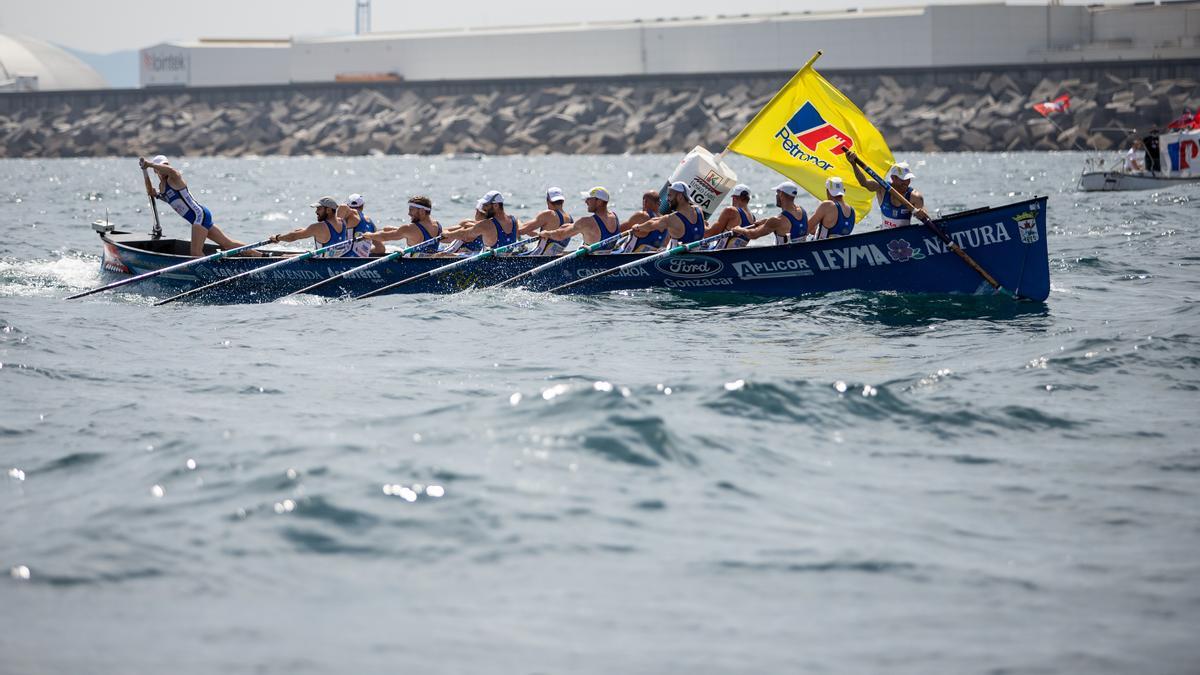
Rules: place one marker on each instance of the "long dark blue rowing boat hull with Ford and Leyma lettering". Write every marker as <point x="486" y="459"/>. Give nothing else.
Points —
<point x="1010" y="242"/>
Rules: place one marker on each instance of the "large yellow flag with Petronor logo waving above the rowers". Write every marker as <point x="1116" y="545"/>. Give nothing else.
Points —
<point x="802" y="134"/>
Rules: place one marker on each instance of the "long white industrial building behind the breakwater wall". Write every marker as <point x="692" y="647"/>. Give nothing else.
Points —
<point x="916" y="38"/>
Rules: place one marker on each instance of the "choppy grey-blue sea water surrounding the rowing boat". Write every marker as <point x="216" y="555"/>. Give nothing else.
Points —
<point x="502" y="482"/>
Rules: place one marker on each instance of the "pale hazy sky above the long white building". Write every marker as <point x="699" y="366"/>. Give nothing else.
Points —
<point x="115" y="26"/>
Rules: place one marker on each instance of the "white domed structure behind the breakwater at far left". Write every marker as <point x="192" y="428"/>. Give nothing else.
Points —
<point x="29" y="64"/>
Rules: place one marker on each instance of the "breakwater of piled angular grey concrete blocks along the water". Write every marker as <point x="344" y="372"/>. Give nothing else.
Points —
<point x="927" y="111"/>
